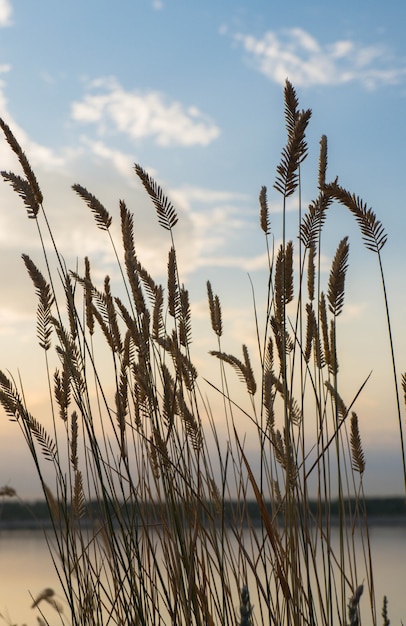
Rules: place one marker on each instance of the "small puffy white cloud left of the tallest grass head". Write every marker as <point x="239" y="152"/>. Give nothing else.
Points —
<point x="143" y="114"/>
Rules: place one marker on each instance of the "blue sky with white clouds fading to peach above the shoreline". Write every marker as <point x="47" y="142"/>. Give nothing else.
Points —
<point x="194" y="93"/>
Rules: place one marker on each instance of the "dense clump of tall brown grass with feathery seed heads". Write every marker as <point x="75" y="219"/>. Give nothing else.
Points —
<point x="151" y="509"/>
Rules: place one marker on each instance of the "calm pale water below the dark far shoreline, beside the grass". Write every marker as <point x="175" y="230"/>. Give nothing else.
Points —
<point x="26" y="569"/>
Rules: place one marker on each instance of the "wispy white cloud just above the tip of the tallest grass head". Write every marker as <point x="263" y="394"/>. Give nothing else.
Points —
<point x="295" y="54"/>
